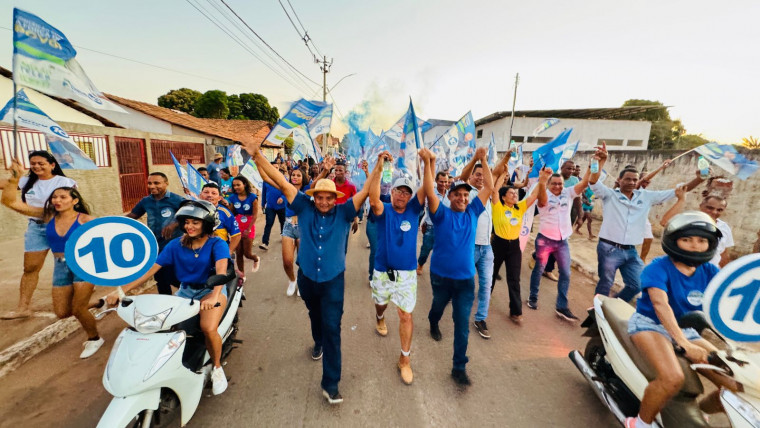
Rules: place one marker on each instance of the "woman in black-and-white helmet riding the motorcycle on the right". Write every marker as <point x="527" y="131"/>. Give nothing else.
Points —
<point x="673" y="285"/>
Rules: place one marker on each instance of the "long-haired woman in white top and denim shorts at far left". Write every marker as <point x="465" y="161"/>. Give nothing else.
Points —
<point x="45" y="175"/>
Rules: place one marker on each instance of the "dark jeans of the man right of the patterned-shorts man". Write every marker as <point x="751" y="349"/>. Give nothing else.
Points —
<point x="461" y="293"/>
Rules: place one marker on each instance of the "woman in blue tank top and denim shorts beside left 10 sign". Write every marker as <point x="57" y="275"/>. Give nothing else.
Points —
<point x="65" y="210"/>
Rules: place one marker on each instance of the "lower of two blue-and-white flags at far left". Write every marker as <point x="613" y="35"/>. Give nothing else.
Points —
<point x="62" y="146"/>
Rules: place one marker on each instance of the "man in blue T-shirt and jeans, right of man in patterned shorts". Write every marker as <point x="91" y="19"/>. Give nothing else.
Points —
<point x="452" y="267"/>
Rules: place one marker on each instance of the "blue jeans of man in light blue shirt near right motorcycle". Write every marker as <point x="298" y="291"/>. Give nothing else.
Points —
<point x="612" y="258"/>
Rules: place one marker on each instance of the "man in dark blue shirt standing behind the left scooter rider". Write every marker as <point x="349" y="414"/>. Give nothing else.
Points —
<point x="160" y="205"/>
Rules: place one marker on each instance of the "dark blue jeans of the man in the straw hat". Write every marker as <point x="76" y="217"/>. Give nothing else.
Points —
<point x="324" y="300"/>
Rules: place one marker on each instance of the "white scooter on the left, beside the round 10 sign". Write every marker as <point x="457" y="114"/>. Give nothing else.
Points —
<point x="160" y="362"/>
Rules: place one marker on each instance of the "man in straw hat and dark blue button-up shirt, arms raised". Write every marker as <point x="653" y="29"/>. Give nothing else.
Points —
<point x="324" y="229"/>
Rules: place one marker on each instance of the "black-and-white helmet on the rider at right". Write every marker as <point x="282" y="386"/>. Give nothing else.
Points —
<point x="690" y="223"/>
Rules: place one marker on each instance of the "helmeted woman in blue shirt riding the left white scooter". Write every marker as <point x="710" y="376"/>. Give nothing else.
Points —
<point x="194" y="256"/>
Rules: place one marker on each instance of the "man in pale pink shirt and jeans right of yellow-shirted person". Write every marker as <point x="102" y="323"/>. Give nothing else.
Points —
<point x="555" y="226"/>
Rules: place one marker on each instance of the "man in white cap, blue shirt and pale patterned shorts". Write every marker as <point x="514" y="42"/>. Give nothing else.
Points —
<point x="394" y="278"/>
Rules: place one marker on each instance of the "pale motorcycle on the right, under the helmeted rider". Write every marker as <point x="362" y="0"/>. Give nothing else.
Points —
<point x="618" y="372"/>
